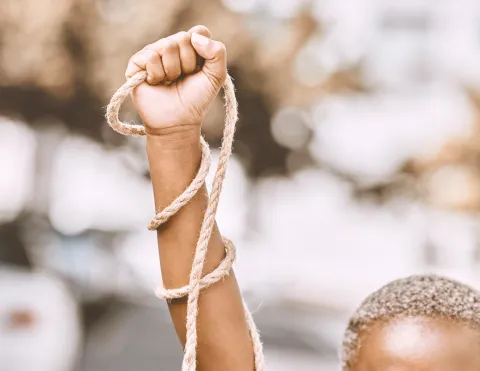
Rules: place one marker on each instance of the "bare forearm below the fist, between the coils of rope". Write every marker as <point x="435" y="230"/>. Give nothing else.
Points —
<point x="224" y="342"/>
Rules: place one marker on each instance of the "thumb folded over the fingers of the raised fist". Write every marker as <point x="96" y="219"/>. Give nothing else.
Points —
<point x="215" y="56"/>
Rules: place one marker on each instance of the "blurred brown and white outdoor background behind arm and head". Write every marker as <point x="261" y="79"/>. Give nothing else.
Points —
<point x="357" y="153"/>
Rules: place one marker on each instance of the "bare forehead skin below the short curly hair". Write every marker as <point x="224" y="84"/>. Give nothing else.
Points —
<point x="419" y="344"/>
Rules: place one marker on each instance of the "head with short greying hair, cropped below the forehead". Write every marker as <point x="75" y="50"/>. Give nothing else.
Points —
<point x="426" y="323"/>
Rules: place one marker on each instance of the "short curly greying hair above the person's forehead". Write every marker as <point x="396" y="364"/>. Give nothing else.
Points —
<point x="420" y="295"/>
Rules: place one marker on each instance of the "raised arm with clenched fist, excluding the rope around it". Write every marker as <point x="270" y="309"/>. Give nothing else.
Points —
<point x="172" y="115"/>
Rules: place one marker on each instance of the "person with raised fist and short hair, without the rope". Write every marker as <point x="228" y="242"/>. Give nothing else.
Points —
<point x="420" y="323"/>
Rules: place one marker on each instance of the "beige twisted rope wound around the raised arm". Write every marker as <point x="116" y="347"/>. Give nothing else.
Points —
<point x="196" y="282"/>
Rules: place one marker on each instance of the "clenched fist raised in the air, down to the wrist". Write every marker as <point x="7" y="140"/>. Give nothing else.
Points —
<point x="185" y="72"/>
